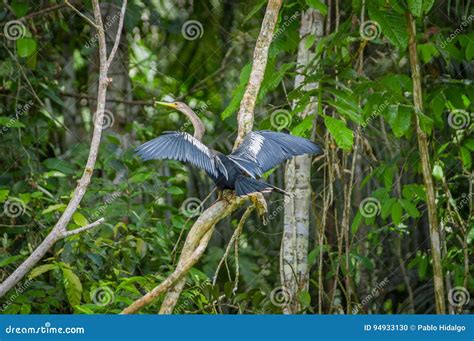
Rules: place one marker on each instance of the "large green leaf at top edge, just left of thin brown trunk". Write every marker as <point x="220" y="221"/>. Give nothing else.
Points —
<point x="391" y="23"/>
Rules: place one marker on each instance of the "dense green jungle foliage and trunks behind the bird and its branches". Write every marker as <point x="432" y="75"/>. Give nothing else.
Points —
<point x="381" y="222"/>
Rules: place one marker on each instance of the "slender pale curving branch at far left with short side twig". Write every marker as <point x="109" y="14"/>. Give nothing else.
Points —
<point x="59" y="230"/>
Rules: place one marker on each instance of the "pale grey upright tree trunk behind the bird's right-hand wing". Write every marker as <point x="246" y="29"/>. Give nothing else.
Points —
<point x="294" y="249"/>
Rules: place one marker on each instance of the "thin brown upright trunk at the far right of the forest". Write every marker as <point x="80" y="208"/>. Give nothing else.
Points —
<point x="426" y="168"/>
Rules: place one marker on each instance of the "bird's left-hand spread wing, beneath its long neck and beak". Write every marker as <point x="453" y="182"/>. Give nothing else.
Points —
<point x="179" y="146"/>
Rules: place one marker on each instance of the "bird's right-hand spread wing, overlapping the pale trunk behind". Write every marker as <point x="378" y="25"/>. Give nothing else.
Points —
<point x="260" y="151"/>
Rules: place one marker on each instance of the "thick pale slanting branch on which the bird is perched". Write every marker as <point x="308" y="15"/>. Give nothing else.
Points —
<point x="210" y="217"/>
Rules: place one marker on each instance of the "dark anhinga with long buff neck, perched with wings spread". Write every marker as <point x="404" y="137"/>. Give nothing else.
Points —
<point x="259" y="152"/>
